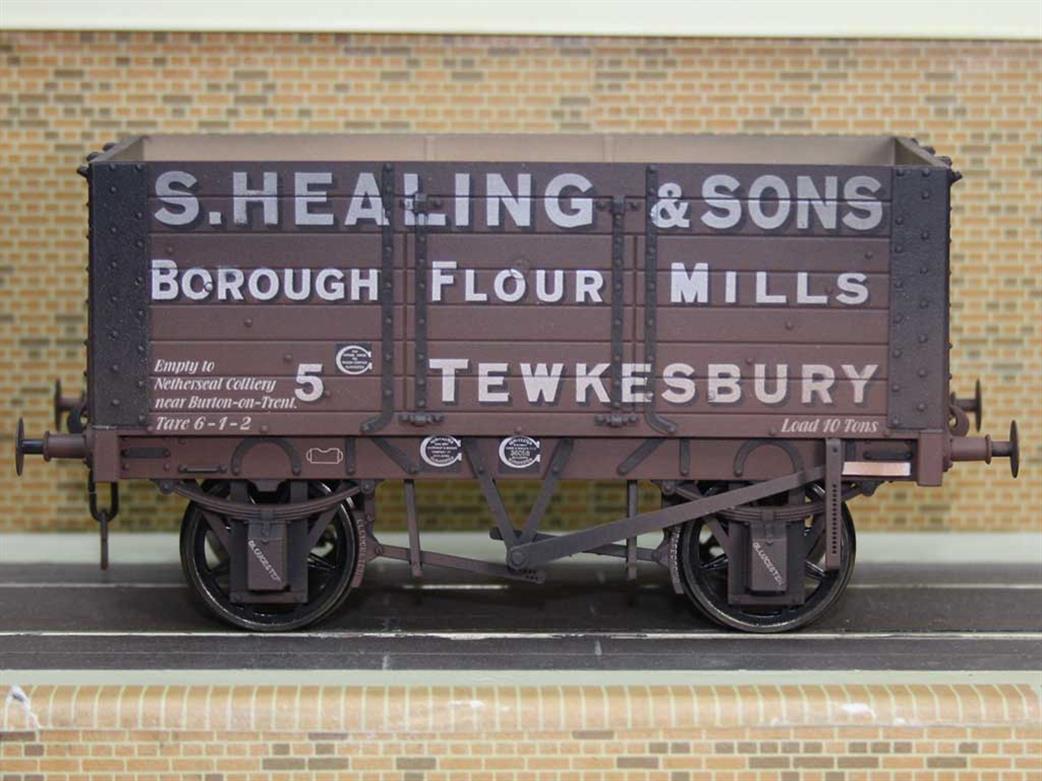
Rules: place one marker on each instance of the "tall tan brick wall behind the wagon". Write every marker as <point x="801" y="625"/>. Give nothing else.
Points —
<point x="64" y="94"/>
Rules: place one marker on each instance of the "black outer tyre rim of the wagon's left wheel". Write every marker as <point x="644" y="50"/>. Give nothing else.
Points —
<point x="255" y="617"/>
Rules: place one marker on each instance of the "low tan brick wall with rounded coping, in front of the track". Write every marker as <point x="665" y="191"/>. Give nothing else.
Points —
<point x="574" y="734"/>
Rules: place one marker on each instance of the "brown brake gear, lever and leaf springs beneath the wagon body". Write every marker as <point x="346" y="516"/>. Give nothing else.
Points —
<point x="529" y="549"/>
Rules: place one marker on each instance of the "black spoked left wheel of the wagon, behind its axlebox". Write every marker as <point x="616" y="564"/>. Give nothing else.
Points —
<point x="331" y="565"/>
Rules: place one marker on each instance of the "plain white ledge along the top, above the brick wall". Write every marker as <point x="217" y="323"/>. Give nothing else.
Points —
<point x="883" y="19"/>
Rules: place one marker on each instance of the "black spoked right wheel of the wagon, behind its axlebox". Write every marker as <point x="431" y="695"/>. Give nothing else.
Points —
<point x="704" y="567"/>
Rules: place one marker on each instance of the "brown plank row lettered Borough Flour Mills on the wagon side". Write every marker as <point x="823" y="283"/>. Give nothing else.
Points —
<point x="477" y="282"/>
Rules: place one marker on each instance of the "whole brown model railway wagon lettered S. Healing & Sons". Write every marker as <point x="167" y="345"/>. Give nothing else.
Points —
<point x="757" y="324"/>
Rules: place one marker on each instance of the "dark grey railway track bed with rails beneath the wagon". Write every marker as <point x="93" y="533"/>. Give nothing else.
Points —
<point x="897" y="617"/>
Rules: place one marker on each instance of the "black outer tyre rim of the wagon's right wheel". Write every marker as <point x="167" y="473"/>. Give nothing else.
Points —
<point x="715" y="607"/>
